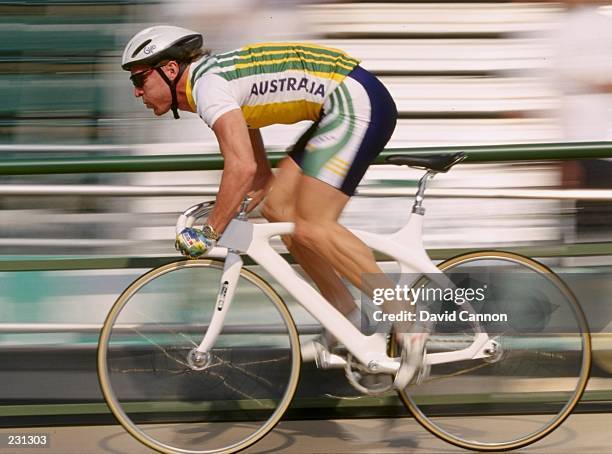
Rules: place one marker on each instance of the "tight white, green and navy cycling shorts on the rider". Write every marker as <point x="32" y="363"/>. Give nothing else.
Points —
<point x="356" y="123"/>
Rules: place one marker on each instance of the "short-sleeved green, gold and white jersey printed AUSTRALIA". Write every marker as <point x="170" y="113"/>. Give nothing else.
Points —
<point x="271" y="83"/>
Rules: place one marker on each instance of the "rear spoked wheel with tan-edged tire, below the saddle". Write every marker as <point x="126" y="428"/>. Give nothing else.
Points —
<point x="535" y="372"/>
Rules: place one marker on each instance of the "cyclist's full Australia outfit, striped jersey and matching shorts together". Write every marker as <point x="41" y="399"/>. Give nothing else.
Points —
<point x="353" y="113"/>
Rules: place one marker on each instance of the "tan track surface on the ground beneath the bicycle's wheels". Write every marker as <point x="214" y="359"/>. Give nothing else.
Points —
<point x="585" y="433"/>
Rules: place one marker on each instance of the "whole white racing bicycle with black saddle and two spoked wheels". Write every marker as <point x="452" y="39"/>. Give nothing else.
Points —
<point x="203" y="356"/>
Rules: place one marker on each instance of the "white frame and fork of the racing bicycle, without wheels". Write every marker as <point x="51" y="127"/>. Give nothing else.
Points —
<point x="405" y="246"/>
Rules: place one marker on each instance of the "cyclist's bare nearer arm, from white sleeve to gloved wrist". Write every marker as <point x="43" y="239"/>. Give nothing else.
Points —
<point x="239" y="167"/>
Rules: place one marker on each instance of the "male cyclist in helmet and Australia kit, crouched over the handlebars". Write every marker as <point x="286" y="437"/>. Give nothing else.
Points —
<point x="238" y="92"/>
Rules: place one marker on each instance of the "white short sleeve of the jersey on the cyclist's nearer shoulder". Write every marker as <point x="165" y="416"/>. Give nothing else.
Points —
<point x="213" y="97"/>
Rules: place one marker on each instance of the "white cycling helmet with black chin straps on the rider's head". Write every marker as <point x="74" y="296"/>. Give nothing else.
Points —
<point x="163" y="42"/>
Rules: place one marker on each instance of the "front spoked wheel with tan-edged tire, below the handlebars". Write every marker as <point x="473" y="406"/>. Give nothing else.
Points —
<point x="177" y="402"/>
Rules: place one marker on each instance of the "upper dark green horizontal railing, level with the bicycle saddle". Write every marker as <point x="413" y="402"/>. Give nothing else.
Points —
<point x="157" y="163"/>
